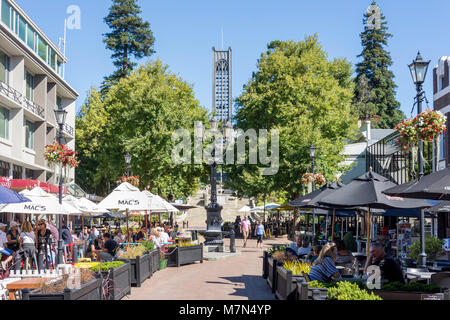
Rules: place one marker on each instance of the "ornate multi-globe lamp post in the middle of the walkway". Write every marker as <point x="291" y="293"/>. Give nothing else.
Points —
<point x="213" y="233"/>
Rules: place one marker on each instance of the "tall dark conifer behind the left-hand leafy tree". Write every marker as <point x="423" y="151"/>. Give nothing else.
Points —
<point x="130" y="36"/>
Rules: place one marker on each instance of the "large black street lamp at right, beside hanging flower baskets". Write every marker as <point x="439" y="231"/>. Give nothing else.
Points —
<point x="418" y="69"/>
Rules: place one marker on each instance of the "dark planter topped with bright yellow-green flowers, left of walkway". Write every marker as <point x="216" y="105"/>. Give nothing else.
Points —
<point x="116" y="277"/>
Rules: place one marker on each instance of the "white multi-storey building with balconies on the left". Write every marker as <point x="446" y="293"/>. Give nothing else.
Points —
<point x="31" y="88"/>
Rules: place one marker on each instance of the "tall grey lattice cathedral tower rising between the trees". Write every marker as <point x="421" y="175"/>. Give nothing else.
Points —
<point x="222" y="105"/>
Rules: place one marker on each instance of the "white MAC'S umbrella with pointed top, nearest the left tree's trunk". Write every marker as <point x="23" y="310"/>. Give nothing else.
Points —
<point x="125" y="198"/>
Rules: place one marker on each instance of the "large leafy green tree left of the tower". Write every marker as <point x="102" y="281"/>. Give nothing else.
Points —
<point x="139" y="115"/>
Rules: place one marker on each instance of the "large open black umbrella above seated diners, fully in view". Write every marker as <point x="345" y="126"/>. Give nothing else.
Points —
<point x="366" y="191"/>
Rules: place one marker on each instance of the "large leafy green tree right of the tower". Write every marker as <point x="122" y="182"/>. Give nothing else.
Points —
<point x="298" y="91"/>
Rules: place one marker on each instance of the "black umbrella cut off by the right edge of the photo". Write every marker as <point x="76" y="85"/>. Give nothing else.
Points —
<point x="435" y="186"/>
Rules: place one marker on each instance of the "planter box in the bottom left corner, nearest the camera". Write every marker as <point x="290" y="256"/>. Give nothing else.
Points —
<point x="81" y="285"/>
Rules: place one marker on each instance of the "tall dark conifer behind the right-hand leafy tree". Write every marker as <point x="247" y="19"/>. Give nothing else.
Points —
<point x="380" y="80"/>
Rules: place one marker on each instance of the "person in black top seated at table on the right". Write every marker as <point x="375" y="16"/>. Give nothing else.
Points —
<point x="390" y="269"/>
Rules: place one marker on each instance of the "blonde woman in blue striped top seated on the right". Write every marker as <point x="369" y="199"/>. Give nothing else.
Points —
<point x="323" y="268"/>
